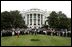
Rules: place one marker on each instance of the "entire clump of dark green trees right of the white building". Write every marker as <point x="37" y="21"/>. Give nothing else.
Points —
<point x="59" y="20"/>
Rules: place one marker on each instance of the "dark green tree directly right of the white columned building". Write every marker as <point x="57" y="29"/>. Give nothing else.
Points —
<point x="53" y="20"/>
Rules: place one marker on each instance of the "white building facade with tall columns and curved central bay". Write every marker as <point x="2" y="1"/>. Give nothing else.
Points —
<point x="34" y="17"/>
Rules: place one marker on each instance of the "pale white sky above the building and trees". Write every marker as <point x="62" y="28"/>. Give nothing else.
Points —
<point x="64" y="6"/>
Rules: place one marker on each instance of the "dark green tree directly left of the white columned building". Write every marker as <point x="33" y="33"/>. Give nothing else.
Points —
<point x="16" y="19"/>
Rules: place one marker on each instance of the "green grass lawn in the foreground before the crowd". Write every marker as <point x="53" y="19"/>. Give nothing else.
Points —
<point x="30" y="40"/>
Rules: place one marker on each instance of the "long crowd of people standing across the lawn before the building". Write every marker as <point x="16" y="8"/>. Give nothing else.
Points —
<point x="35" y="31"/>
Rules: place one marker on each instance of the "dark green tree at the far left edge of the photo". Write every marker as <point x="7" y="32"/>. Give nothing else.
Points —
<point x="5" y="22"/>
